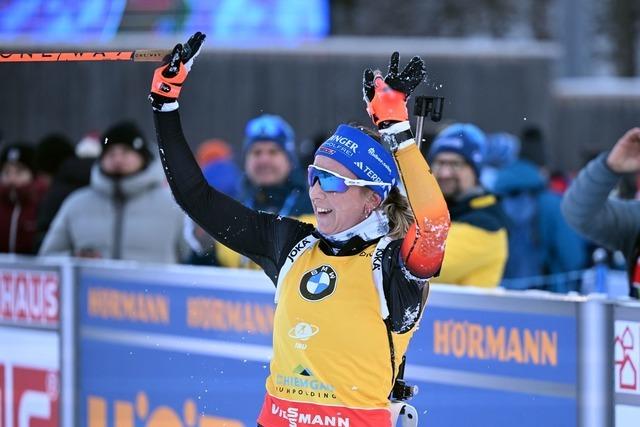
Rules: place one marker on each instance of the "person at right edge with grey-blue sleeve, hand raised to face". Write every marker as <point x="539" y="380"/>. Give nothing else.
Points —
<point x="610" y="222"/>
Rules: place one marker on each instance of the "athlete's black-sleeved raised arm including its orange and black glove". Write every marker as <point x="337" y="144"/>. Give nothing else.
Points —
<point x="264" y="238"/>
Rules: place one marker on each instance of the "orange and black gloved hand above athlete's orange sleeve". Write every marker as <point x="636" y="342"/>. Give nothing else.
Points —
<point x="386" y="97"/>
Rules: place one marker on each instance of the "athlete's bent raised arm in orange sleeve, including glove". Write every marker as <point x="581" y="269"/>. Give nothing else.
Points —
<point x="422" y="249"/>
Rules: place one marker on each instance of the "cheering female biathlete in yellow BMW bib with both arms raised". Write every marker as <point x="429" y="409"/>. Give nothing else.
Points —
<point x="350" y="292"/>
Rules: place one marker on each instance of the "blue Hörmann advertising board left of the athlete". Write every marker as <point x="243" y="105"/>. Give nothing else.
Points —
<point x="163" y="349"/>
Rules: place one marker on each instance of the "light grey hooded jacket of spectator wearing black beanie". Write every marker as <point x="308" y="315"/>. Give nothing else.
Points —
<point x="132" y="218"/>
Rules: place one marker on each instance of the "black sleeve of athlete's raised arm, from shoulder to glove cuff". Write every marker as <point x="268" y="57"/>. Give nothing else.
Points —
<point x="264" y="238"/>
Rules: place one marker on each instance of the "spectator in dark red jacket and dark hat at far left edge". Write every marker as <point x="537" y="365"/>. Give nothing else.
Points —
<point x="20" y="195"/>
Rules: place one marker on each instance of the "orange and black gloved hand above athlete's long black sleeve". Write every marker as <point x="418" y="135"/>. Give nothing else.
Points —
<point x="170" y="76"/>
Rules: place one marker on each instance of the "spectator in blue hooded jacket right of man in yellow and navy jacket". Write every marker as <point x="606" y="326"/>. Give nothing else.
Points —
<point x="541" y="243"/>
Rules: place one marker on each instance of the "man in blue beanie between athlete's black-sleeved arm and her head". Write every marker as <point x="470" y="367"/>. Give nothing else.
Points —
<point x="272" y="181"/>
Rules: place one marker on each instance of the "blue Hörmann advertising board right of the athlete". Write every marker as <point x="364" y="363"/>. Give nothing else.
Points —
<point x="490" y="360"/>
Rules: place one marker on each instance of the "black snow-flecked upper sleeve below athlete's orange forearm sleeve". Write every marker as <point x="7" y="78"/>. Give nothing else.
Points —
<point x="404" y="295"/>
